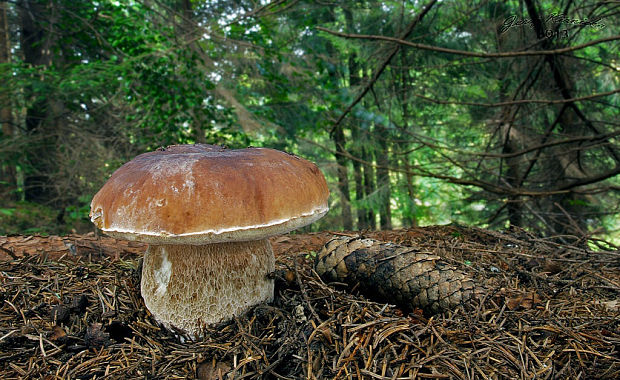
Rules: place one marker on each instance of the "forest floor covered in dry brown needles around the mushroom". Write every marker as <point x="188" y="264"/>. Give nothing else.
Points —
<point x="70" y="307"/>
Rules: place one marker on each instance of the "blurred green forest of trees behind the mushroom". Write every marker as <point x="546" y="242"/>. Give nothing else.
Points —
<point x="491" y="113"/>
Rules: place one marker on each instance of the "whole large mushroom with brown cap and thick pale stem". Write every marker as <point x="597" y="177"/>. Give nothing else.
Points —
<point x="206" y="212"/>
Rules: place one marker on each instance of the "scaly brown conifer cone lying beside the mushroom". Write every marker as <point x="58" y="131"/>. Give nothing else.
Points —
<point x="395" y="274"/>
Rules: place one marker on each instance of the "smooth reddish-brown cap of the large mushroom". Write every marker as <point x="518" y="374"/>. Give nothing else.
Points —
<point x="201" y="194"/>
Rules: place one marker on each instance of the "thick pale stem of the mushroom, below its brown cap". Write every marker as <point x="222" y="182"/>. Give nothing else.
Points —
<point x="190" y="286"/>
